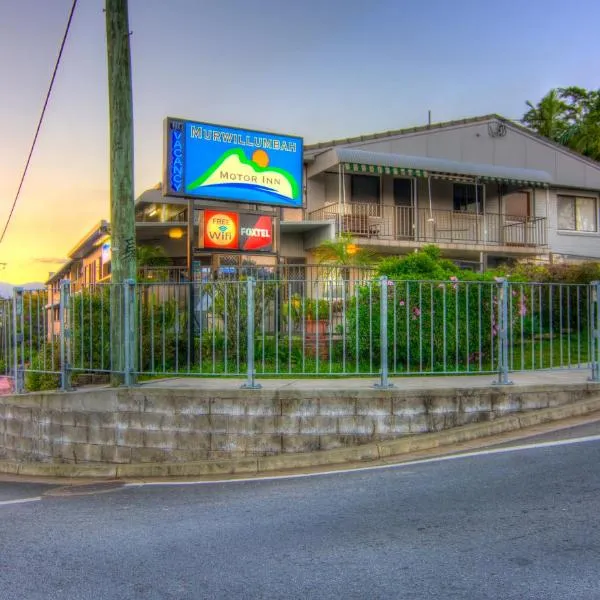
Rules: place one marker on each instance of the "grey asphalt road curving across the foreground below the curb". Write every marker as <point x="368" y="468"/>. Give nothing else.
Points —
<point x="522" y="524"/>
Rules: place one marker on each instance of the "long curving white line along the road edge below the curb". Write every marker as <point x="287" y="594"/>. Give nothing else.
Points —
<point x="258" y="478"/>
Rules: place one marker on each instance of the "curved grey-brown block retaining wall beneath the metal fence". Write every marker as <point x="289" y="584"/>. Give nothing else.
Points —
<point x="156" y="425"/>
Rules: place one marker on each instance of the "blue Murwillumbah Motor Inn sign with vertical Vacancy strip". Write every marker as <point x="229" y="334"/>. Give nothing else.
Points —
<point x="226" y="163"/>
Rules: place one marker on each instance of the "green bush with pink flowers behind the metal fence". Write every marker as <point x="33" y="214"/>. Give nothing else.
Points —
<point x="434" y="325"/>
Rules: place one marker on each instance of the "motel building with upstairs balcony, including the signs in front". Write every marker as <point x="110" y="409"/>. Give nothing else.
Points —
<point x="485" y="190"/>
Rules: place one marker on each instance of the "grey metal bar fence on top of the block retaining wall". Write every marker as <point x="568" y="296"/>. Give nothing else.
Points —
<point x="297" y="327"/>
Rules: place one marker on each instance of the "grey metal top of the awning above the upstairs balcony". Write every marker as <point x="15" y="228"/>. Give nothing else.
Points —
<point x="357" y="157"/>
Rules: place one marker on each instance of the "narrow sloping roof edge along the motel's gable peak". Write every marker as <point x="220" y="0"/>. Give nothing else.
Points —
<point x="313" y="149"/>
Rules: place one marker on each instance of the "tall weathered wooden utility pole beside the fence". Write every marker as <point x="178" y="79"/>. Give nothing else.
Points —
<point x="122" y="213"/>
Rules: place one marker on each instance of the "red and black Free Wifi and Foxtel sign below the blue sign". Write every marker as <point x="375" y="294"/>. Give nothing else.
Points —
<point x="226" y="230"/>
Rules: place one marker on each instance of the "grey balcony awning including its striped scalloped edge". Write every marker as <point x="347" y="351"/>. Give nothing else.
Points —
<point x="379" y="163"/>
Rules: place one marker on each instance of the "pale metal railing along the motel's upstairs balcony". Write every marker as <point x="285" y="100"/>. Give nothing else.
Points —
<point x="434" y="226"/>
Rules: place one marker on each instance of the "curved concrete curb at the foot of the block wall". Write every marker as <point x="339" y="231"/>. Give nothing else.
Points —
<point x="287" y="462"/>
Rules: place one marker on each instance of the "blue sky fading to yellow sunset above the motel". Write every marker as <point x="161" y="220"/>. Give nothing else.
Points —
<point x="320" y="69"/>
